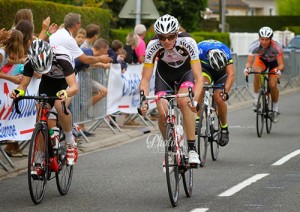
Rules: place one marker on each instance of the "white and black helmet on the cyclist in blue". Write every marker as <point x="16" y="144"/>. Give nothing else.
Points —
<point x="217" y="59"/>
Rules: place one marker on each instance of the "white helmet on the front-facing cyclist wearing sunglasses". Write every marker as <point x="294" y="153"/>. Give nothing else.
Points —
<point x="166" y="24"/>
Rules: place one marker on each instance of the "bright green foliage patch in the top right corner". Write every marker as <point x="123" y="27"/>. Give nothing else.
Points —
<point x="288" y="7"/>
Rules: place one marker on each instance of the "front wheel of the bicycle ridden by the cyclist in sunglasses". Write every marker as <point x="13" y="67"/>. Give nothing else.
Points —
<point x="171" y="165"/>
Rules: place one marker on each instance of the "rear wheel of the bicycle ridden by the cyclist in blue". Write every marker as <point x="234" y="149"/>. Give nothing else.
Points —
<point x="216" y="136"/>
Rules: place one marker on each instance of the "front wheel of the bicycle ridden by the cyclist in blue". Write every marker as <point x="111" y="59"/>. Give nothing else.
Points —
<point x="203" y="136"/>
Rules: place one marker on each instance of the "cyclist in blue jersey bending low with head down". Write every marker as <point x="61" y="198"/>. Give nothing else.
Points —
<point x="217" y="68"/>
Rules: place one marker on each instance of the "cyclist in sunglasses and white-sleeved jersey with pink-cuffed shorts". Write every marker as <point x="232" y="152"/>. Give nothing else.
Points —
<point x="177" y="62"/>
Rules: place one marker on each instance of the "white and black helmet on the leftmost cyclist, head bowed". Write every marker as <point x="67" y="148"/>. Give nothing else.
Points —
<point x="41" y="56"/>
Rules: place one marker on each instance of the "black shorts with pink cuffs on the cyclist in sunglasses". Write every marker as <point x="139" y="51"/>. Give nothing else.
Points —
<point x="167" y="77"/>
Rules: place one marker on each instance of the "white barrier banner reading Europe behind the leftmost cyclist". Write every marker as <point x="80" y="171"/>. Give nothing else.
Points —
<point x="15" y="126"/>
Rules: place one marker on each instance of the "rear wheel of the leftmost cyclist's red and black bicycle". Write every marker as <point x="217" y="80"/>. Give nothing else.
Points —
<point x="65" y="173"/>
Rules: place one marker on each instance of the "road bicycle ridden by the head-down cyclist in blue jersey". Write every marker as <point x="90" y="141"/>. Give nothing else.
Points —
<point x="209" y="125"/>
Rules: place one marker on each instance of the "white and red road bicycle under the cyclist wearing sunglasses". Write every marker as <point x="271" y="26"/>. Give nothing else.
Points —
<point x="176" y="160"/>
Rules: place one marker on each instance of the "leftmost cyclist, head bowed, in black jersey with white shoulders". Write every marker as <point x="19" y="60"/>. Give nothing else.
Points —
<point x="58" y="78"/>
